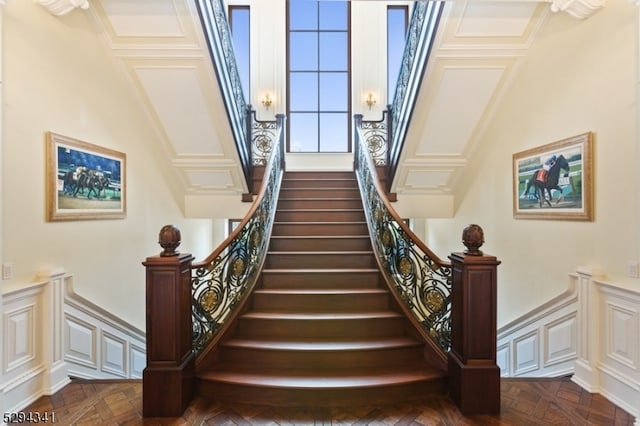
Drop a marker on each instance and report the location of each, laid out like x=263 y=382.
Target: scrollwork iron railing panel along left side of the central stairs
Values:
x=220 y=283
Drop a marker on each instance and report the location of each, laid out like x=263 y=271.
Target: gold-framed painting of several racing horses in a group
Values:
x=84 y=181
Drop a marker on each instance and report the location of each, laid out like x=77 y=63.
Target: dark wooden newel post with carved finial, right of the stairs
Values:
x=474 y=377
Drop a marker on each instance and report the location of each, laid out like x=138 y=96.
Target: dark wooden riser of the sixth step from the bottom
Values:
x=319 y=260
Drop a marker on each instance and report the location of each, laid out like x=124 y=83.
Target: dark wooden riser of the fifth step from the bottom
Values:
x=321 y=280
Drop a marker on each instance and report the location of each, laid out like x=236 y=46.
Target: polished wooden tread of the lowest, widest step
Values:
x=322 y=378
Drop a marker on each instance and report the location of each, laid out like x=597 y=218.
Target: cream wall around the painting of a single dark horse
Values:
x=580 y=76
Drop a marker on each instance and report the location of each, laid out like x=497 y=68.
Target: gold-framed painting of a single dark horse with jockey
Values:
x=555 y=181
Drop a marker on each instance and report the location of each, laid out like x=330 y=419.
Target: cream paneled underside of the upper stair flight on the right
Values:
x=475 y=54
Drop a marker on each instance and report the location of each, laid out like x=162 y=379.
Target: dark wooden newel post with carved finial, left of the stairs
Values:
x=167 y=380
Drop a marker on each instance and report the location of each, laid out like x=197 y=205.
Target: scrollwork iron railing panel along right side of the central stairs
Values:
x=419 y=278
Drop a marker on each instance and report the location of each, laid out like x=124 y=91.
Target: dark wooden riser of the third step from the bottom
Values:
x=319 y=329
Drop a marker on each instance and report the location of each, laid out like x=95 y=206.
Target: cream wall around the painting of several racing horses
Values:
x=56 y=78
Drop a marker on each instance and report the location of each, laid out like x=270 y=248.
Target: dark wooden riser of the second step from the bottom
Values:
x=321 y=359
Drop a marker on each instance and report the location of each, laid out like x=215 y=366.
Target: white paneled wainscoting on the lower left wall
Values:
x=50 y=334
